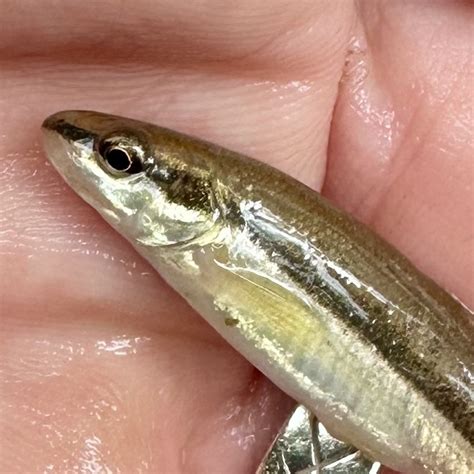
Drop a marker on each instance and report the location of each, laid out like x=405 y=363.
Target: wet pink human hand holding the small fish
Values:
x=103 y=368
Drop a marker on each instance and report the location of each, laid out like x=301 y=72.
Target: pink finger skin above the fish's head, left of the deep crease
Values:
x=261 y=78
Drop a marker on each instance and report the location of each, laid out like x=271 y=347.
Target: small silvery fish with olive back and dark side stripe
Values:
x=330 y=312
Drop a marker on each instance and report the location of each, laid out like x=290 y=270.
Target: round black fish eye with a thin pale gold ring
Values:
x=121 y=158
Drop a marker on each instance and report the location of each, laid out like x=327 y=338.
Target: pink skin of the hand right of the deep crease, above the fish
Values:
x=401 y=145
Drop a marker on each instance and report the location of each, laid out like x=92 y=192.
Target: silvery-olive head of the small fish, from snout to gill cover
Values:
x=149 y=183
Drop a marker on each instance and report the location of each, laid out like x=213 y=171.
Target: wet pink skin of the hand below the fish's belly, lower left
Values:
x=101 y=363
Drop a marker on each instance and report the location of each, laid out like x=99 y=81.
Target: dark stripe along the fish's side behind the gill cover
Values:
x=437 y=388
